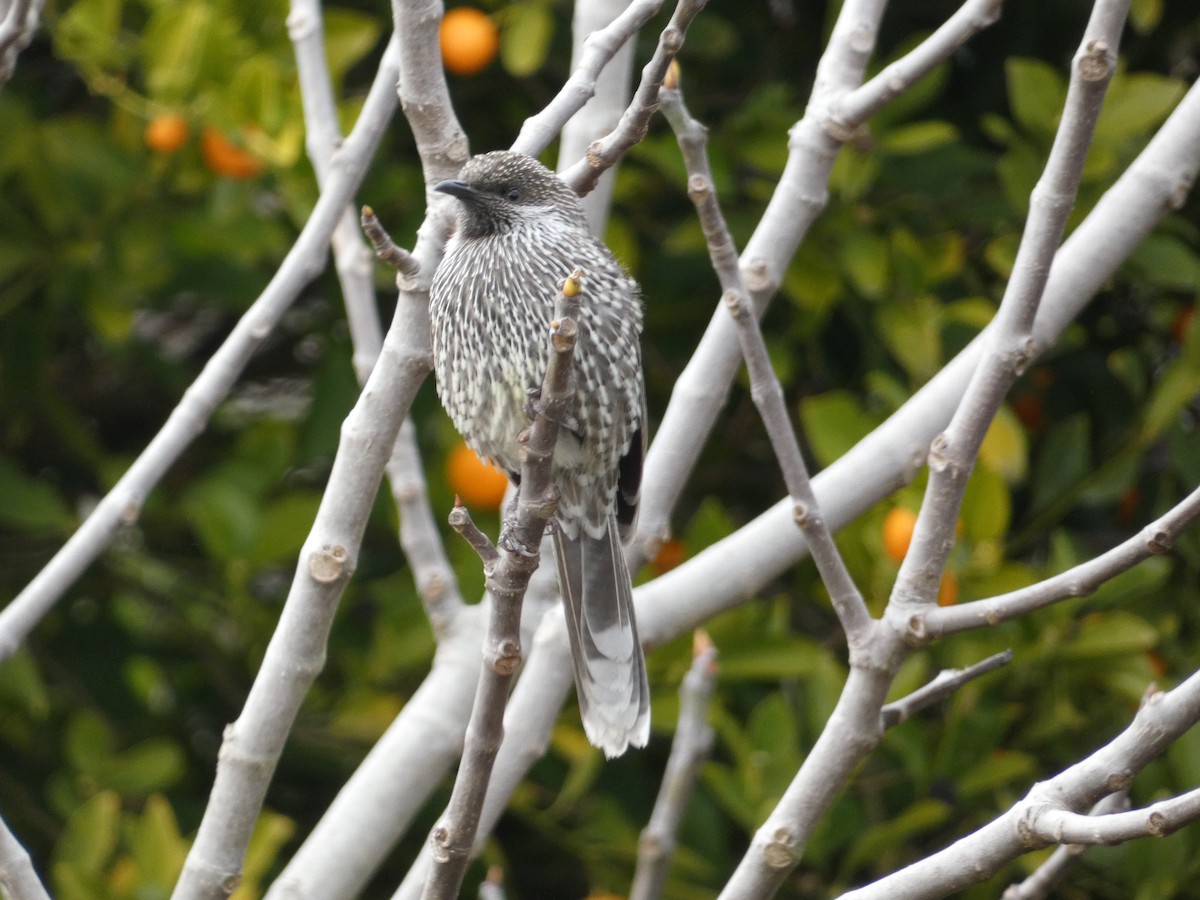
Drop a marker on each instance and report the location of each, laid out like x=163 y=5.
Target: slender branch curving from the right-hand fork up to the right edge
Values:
x=1156 y=538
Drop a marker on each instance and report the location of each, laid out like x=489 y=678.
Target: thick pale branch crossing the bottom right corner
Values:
x=1162 y=719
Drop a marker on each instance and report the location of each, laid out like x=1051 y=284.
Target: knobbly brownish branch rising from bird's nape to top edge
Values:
x=634 y=123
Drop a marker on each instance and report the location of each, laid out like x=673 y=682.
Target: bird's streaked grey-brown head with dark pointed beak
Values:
x=503 y=191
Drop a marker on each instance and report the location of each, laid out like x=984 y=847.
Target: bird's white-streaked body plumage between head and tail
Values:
x=490 y=332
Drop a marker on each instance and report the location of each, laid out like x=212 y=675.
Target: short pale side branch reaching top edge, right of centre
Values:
x=856 y=107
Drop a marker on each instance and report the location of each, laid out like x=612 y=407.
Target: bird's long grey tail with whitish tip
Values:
x=610 y=669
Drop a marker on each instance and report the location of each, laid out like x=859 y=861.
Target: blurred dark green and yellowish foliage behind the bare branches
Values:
x=124 y=265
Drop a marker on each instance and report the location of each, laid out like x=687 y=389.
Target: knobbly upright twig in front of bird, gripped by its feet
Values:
x=455 y=833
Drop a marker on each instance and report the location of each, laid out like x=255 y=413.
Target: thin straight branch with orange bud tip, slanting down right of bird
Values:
x=765 y=387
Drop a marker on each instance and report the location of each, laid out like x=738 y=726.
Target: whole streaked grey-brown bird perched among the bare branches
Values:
x=521 y=231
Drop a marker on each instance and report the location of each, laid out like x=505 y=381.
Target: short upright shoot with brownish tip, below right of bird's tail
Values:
x=691 y=748
